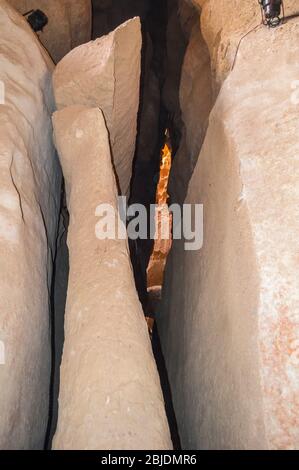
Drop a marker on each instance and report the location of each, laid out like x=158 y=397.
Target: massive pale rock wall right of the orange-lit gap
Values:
x=229 y=326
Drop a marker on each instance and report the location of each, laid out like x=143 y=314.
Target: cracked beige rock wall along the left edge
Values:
x=30 y=180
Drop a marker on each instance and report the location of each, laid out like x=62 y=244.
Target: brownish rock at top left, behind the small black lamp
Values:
x=69 y=23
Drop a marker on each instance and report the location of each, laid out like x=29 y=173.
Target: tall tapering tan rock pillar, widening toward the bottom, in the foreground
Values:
x=110 y=396
